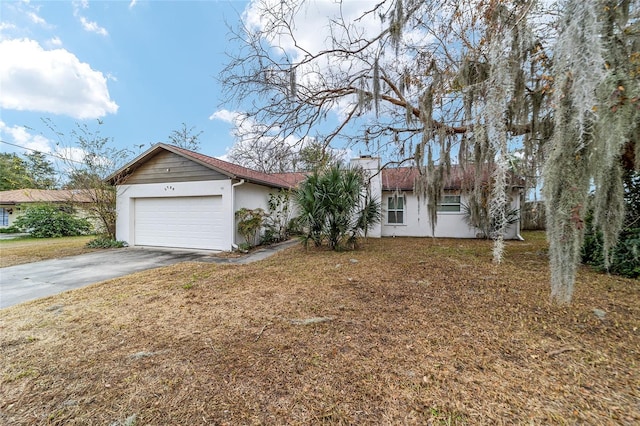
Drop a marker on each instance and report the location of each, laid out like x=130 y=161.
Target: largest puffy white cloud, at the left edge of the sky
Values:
x=53 y=81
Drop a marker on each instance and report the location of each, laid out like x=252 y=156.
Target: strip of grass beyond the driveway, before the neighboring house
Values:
x=26 y=249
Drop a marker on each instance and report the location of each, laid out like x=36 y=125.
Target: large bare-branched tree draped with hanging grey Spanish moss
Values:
x=460 y=81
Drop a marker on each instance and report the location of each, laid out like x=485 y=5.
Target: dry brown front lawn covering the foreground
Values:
x=402 y=331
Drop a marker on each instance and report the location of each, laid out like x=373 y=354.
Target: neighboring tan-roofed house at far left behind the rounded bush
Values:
x=13 y=203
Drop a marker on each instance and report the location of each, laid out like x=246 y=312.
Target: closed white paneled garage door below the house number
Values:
x=183 y=222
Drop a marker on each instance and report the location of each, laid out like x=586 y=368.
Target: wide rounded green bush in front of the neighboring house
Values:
x=49 y=221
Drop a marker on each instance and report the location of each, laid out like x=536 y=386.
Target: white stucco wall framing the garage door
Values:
x=128 y=193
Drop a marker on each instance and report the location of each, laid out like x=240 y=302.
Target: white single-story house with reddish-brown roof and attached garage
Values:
x=173 y=197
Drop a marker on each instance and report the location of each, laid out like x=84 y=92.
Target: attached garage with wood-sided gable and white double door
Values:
x=173 y=197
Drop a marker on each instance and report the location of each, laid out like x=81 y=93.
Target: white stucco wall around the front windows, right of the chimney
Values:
x=449 y=224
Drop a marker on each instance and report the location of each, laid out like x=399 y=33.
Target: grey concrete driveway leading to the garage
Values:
x=31 y=281
